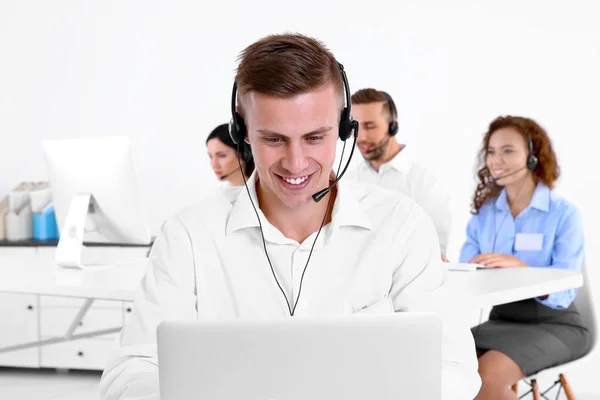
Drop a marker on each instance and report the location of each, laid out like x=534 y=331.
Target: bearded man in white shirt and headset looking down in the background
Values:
x=389 y=164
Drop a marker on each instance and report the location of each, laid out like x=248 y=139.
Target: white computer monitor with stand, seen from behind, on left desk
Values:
x=95 y=195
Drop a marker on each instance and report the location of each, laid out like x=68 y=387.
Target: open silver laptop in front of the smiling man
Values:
x=353 y=357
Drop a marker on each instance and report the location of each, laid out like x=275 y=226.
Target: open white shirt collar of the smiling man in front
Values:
x=347 y=210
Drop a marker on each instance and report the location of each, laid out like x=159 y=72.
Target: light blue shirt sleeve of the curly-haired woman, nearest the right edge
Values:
x=567 y=253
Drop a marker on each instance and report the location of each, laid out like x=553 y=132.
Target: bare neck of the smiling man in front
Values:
x=296 y=223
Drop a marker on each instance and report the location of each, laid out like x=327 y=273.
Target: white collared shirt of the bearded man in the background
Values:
x=406 y=175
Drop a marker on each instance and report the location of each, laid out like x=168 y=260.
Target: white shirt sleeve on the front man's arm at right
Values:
x=421 y=271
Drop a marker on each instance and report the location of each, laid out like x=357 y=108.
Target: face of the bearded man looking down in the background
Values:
x=374 y=120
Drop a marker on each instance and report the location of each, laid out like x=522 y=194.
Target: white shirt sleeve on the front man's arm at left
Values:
x=167 y=291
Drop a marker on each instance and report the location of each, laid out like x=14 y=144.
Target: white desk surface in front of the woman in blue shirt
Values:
x=466 y=290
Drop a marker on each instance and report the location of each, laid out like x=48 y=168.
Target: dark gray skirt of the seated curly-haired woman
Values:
x=534 y=336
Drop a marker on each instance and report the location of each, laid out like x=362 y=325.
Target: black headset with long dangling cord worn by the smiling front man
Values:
x=347 y=126
